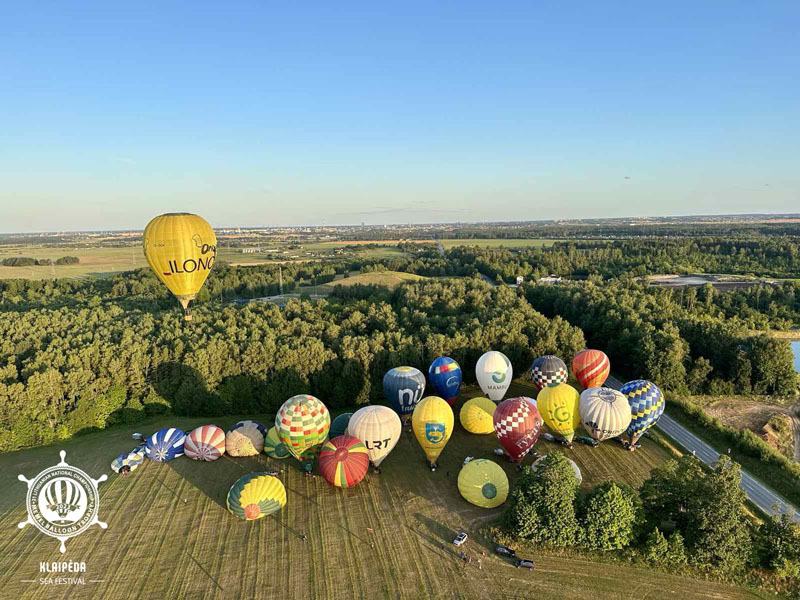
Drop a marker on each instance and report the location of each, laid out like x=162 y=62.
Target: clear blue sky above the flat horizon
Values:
x=342 y=112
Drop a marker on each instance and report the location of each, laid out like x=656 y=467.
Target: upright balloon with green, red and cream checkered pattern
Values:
x=303 y=423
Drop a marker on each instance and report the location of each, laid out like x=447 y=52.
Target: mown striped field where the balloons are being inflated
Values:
x=170 y=536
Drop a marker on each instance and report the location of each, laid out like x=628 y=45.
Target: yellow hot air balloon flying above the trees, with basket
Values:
x=180 y=248
